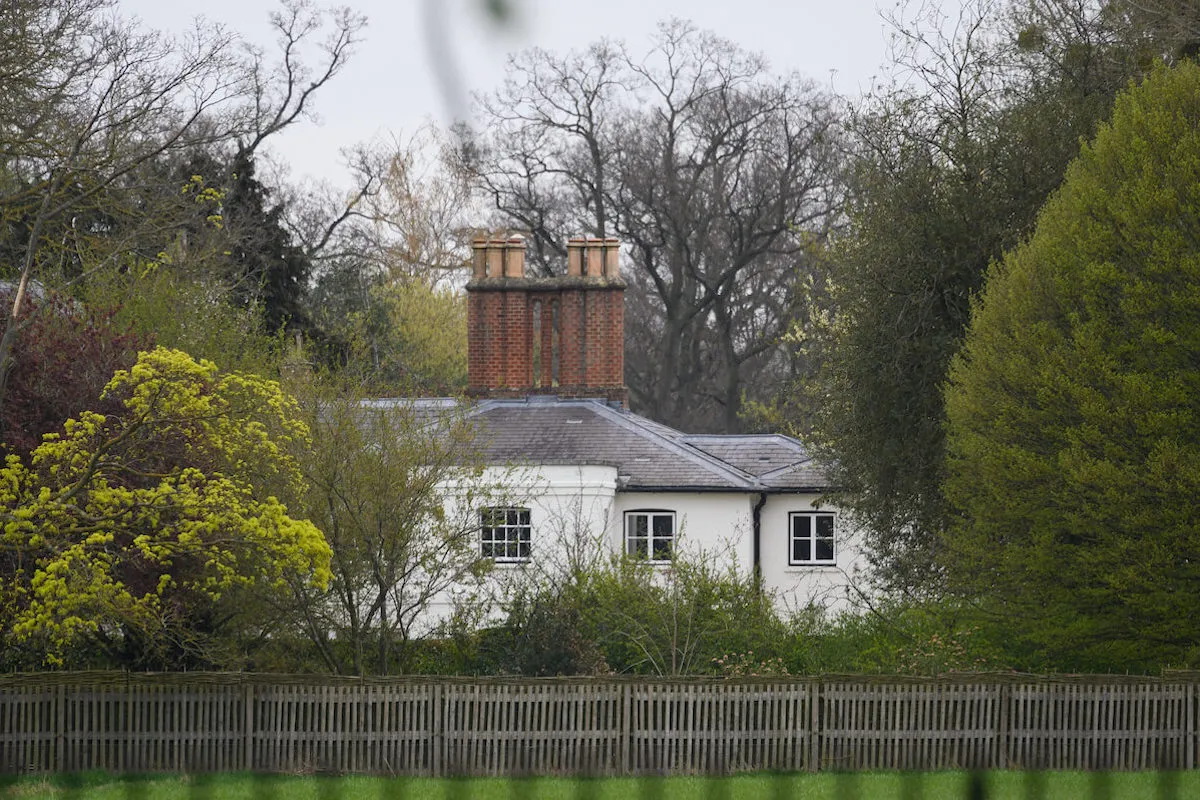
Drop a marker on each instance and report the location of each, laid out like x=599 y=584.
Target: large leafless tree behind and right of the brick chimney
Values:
x=718 y=176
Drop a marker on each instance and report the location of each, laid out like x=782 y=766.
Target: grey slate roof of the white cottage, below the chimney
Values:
x=649 y=456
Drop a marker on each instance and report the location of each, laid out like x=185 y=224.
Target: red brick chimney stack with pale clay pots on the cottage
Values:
x=547 y=336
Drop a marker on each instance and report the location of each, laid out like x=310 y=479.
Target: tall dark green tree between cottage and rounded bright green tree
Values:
x=952 y=164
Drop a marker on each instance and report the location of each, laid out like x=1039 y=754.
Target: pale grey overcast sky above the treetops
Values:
x=392 y=87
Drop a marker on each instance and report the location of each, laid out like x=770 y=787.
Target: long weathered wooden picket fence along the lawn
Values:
x=429 y=726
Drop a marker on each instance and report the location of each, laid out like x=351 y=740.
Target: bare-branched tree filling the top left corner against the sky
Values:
x=88 y=101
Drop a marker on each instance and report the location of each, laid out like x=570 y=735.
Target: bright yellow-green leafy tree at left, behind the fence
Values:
x=129 y=531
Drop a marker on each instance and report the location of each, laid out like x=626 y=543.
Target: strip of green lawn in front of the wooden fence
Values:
x=867 y=786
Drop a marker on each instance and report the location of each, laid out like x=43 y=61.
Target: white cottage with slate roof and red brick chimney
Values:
x=547 y=359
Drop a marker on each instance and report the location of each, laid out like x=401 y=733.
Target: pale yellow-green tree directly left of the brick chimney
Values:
x=387 y=284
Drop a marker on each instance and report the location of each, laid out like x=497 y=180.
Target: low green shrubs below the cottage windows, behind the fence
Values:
x=627 y=617
